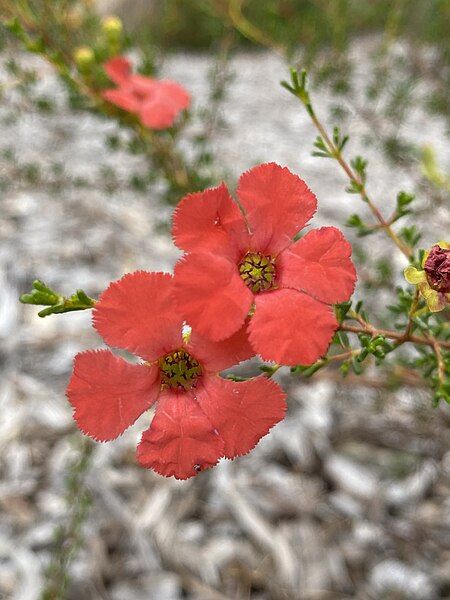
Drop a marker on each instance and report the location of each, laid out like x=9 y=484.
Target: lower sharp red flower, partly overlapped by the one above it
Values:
x=199 y=417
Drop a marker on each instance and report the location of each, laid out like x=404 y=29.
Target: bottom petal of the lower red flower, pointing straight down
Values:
x=181 y=441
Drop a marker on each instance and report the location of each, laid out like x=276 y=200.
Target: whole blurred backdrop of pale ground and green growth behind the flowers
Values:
x=349 y=497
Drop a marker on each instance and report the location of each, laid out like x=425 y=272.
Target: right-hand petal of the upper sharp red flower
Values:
x=320 y=264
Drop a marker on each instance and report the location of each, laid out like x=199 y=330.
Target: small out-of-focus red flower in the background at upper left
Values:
x=157 y=103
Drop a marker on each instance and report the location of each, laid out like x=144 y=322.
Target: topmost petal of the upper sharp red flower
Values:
x=277 y=203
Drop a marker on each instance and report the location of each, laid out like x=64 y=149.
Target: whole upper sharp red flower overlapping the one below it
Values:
x=239 y=257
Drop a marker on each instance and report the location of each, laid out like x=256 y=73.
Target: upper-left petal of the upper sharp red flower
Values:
x=210 y=221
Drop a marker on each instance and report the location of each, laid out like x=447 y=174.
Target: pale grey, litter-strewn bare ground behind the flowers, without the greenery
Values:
x=347 y=498
